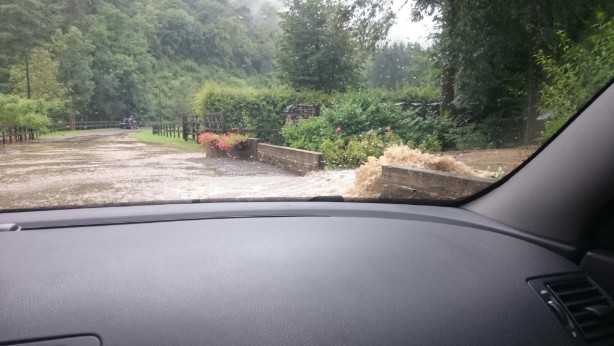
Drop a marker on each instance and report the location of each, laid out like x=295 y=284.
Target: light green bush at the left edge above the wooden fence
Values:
x=20 y=112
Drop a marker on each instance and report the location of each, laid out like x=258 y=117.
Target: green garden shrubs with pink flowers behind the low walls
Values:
x=361 y=124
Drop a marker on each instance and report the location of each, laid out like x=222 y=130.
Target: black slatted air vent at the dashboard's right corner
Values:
x=590 y=309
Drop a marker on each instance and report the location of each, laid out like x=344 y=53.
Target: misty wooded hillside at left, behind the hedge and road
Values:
x=142 y=58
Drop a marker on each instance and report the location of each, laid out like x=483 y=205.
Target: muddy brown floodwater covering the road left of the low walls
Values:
x=110 y=167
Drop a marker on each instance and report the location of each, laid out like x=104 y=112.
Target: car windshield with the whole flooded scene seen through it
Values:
x=138 y=101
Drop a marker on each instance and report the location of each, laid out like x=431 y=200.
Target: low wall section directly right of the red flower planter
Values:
x=293 y=160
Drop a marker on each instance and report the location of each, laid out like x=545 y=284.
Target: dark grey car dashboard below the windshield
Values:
x=274 y=274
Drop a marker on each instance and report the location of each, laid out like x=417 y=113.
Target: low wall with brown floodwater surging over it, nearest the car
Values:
x=414 y=183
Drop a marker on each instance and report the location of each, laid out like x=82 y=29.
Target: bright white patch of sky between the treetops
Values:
x=404 y=30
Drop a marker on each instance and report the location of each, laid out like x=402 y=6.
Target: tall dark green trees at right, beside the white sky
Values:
x=486 y=52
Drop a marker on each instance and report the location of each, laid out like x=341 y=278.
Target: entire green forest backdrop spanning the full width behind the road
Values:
x=504 y=72
